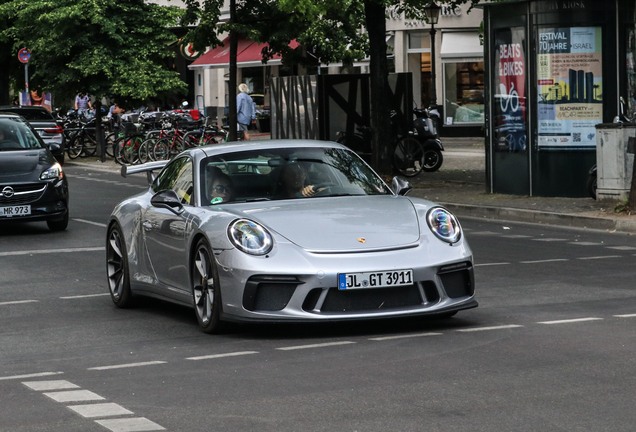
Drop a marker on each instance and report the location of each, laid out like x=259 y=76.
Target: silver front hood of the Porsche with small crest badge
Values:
x=341 y=224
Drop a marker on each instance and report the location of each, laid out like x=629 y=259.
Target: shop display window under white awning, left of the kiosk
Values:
x=464 y=93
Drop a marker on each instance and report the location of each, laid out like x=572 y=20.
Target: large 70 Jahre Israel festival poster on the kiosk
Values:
x=570 y=86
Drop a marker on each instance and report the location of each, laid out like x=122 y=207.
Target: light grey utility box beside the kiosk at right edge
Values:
x=614 y=160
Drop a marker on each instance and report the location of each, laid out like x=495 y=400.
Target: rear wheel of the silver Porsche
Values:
x=117 y=268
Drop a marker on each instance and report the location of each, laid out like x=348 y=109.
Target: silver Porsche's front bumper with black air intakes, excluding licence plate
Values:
x=274 y=289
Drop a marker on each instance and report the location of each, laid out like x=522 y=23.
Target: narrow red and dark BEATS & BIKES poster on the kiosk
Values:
x=510 y=90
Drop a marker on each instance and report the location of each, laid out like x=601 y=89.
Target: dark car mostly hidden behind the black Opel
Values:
x=46 y=126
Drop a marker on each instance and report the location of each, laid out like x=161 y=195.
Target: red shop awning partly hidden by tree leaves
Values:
x=248 y=54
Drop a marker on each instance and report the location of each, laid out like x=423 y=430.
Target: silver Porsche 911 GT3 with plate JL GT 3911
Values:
x=287 y=231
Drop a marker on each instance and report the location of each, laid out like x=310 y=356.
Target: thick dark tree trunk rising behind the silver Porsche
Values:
x=380 y=90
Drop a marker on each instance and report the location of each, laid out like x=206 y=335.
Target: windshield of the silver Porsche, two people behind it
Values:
x=289 y=173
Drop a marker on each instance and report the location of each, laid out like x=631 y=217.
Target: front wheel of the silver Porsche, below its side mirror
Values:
x=206 y=292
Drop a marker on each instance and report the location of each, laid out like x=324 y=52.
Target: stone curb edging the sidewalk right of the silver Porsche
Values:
x=542 y=217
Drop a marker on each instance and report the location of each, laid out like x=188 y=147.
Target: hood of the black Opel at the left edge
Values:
x=24 y=165
